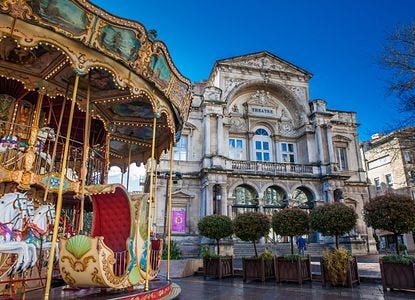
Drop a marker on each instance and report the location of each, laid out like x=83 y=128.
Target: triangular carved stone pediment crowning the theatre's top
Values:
x=264 y=61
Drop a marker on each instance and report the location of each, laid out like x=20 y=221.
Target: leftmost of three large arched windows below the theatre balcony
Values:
x=246 y=199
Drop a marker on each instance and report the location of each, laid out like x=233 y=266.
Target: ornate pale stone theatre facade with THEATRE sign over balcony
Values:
x=255 y=141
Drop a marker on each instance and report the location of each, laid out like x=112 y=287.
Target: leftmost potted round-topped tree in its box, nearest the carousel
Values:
x=216 y=227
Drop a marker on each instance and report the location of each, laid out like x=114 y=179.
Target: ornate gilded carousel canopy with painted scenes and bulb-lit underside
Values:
x=129 y=74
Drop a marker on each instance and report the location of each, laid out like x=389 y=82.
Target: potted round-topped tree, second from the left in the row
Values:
x=250 y=227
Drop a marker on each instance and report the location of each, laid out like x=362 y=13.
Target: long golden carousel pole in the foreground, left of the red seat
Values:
x=60 y=191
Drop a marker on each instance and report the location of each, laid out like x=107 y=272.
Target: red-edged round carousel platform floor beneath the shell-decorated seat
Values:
x=159 y=289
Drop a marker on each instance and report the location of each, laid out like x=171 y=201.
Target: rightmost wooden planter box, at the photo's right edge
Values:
x=398 y=276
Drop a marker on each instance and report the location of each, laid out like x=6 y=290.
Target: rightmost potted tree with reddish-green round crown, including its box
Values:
x=394 y=213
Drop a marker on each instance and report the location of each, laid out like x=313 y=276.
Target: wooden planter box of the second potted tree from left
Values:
x=258 y=268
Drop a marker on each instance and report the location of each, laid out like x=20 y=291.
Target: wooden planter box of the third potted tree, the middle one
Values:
x=293 y=271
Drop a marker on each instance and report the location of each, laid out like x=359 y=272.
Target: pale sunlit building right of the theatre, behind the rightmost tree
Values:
x=390 y=164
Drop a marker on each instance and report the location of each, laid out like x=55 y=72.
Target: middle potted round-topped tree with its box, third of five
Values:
x=292 y=222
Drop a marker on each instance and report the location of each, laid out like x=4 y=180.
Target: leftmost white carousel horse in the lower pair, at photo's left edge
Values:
x=13 y=210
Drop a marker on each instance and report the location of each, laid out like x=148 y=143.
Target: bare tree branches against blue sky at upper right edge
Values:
x=399 y=57
